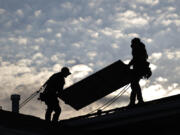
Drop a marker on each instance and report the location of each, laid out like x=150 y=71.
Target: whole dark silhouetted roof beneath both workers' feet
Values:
x=157 y=116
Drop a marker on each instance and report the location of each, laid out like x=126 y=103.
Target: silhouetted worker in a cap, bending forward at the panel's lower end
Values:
x=53 y=89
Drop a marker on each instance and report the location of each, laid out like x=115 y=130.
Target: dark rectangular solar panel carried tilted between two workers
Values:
x=97 y=85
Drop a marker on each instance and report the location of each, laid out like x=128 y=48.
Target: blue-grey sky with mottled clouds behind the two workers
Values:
x=38 y=37
